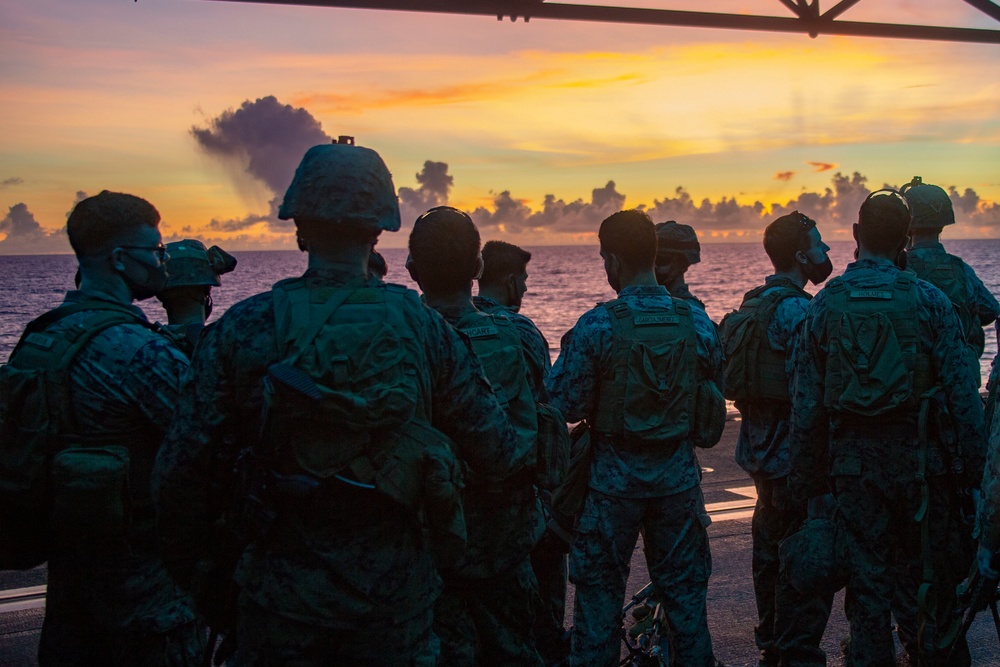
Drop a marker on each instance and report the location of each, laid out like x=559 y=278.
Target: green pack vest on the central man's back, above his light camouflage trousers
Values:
x=647 y=392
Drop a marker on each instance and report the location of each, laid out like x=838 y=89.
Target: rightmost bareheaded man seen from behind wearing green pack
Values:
x=880 y=366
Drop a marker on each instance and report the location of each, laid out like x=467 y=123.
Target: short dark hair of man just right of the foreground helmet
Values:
x=444 y=248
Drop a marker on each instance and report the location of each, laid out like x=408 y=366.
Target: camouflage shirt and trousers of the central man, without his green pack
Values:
x=657 y=490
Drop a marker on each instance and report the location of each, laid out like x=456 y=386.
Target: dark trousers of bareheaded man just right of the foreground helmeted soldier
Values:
x=489 y=623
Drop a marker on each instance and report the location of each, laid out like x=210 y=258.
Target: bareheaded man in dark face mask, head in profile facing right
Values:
x=758 y=340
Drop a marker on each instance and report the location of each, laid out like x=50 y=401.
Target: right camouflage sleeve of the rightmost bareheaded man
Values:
x=958 y=377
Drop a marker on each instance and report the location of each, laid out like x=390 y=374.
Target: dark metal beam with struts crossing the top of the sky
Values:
x=808 y=21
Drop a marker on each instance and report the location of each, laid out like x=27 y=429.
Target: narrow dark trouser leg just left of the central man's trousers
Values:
x=548 y=560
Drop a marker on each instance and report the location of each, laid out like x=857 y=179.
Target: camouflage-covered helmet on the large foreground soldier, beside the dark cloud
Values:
x=339 y=183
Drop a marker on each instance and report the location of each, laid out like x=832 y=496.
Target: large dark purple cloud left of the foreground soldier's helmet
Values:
x=263 y=140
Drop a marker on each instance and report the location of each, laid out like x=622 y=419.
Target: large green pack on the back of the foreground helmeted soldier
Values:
x=341 y=405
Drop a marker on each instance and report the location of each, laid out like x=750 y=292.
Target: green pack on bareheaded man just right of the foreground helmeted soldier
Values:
x=497 y=345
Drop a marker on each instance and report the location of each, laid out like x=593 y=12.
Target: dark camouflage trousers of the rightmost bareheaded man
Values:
x=880 y=542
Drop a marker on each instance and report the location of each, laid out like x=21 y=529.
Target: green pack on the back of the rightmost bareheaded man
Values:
x=874 y=364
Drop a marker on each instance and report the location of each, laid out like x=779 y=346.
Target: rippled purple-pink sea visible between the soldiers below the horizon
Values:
x=563 y=282
